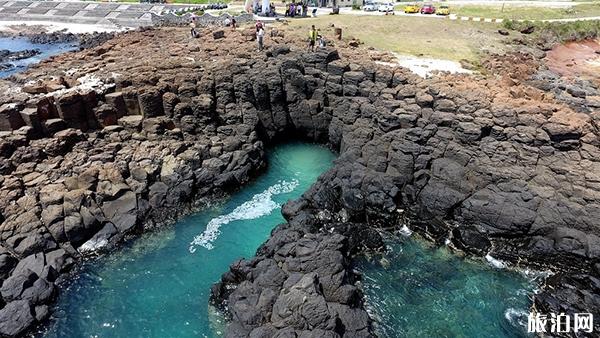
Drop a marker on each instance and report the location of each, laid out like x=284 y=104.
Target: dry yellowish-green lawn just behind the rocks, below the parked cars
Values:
x=443 y=39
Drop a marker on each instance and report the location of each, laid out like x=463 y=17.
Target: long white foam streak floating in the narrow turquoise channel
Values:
x=260 y=205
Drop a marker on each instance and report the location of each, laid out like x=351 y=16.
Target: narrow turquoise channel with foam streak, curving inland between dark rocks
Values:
x=159 y=285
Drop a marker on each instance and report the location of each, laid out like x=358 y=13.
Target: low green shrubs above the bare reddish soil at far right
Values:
x=557 y=32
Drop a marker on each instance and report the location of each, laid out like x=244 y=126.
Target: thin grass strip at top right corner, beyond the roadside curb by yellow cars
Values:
x=514 y=12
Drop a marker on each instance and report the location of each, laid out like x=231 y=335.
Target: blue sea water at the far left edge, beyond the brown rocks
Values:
x=17 y=44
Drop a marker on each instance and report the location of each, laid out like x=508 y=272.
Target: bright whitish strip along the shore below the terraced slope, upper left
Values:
x=48 y=27
